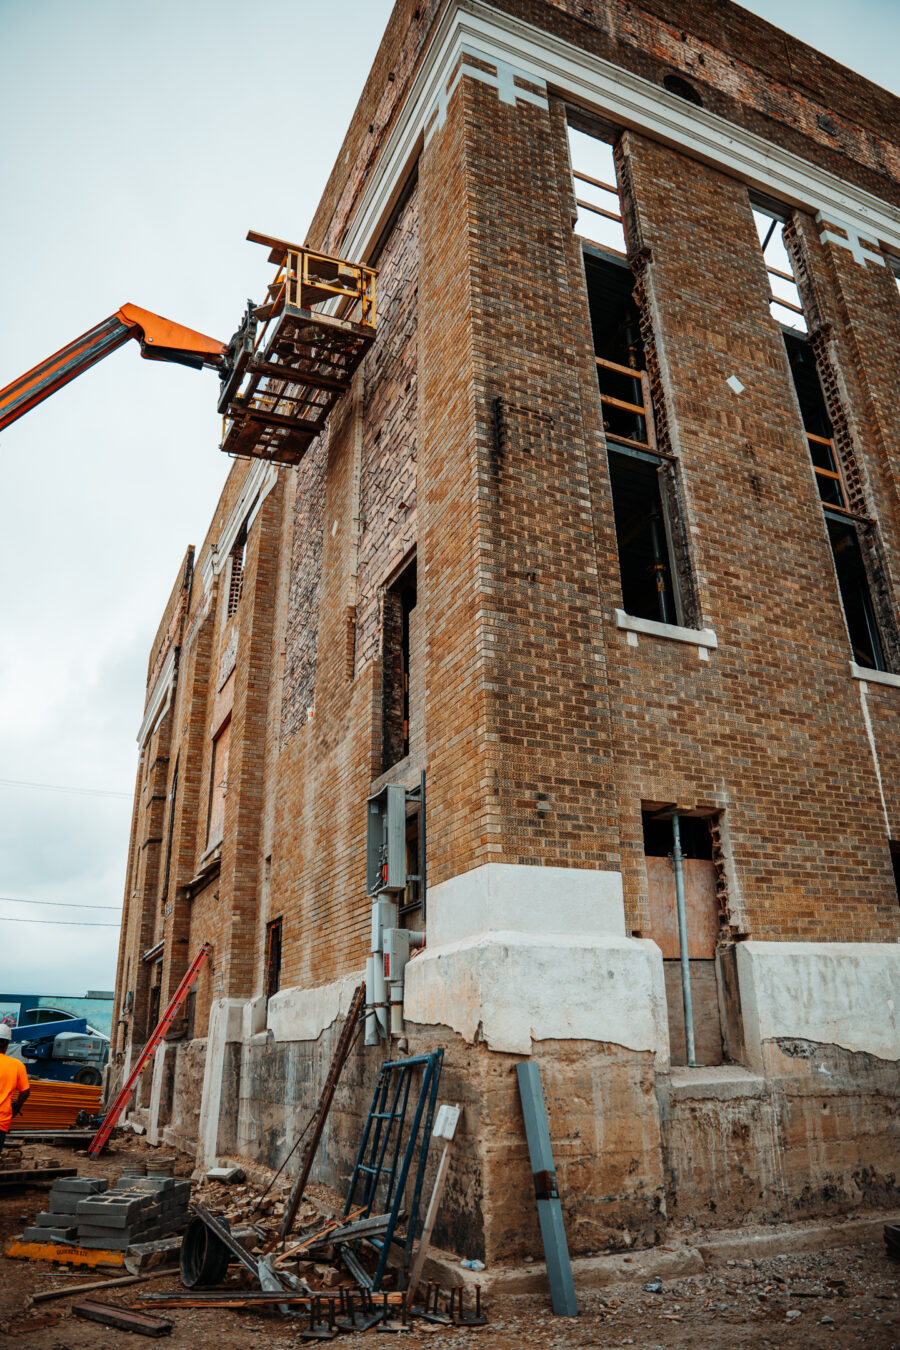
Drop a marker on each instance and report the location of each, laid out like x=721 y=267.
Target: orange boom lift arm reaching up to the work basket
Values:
x=160 y=340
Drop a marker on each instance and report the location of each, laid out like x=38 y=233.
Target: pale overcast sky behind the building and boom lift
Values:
x=138 y=145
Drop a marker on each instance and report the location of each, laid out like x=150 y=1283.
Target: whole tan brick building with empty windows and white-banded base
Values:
x=602 y=538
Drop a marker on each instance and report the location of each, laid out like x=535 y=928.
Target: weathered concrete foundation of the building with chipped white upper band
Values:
x=640 y=1147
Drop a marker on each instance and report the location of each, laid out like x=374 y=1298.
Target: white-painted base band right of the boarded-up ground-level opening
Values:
x=845 y=994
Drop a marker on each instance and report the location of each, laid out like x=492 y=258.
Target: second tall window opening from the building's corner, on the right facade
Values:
x=845 y=530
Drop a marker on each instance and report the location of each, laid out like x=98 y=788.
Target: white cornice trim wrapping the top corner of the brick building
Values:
x=629 y=101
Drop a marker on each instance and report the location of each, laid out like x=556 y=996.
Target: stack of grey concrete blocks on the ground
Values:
x=92 y=1214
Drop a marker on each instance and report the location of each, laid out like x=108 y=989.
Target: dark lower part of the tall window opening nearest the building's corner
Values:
x=636 y=465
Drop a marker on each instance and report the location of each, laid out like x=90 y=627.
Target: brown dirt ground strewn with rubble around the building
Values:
x=844 y=1298
